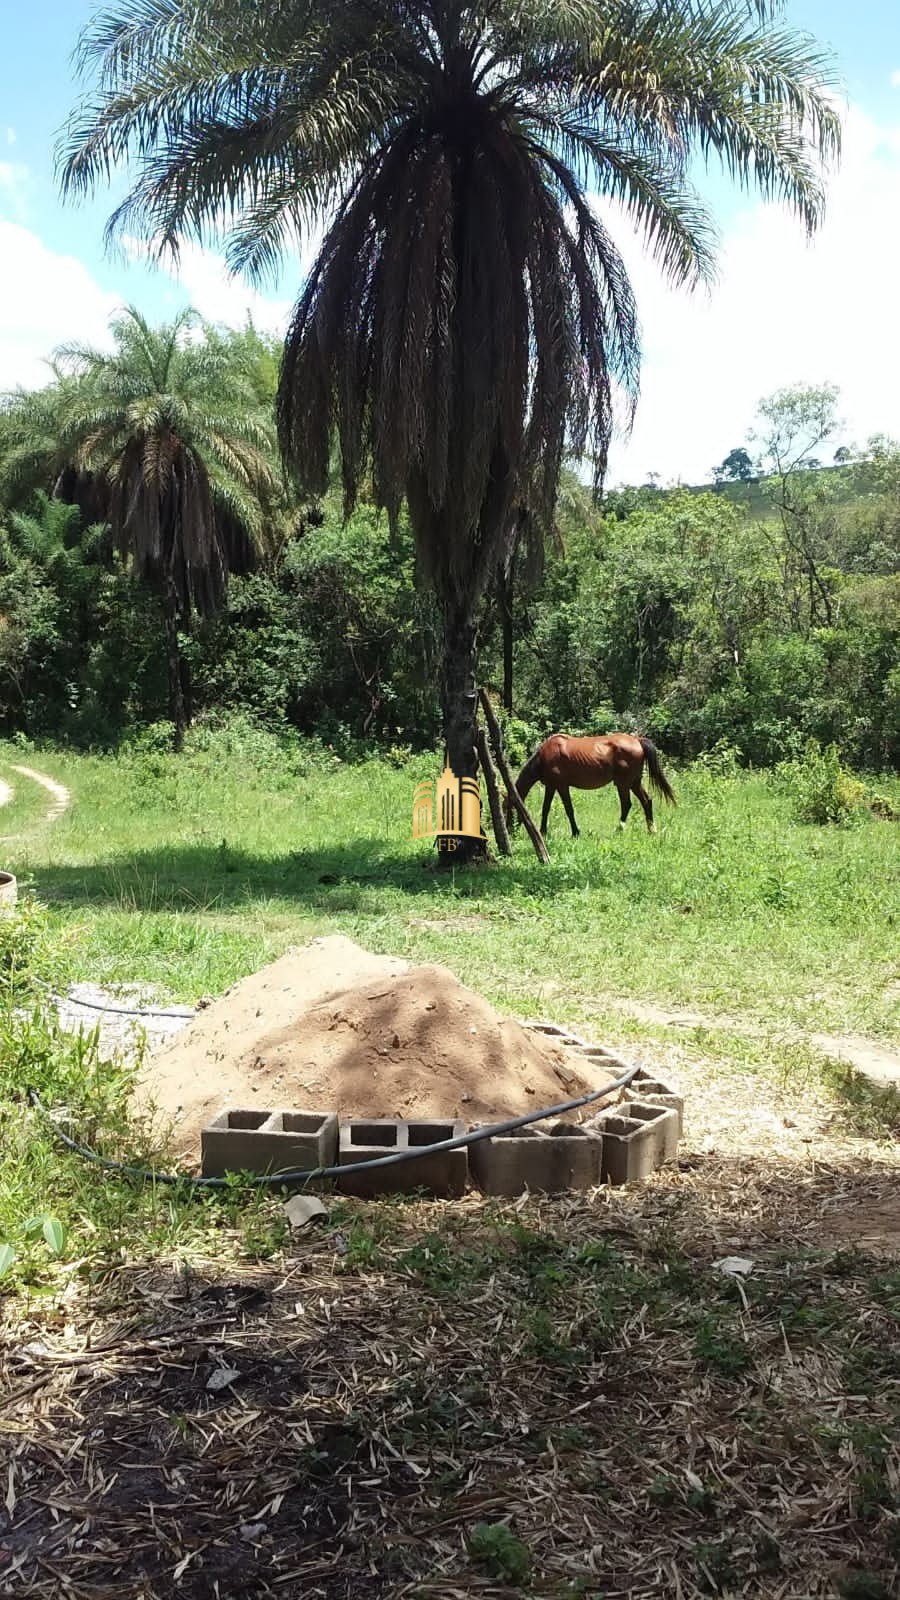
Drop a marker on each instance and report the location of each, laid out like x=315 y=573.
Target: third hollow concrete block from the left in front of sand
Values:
x=566 y=1158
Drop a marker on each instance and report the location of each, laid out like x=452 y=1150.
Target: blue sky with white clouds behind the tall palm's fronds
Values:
x=782 y=313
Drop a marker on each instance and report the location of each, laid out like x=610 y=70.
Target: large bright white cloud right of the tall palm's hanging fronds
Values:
x=784 y=311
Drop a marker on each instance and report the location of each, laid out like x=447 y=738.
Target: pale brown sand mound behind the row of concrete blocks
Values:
x=334 y=1026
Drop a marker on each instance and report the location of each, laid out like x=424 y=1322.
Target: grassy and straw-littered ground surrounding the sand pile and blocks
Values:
x=540 y=1399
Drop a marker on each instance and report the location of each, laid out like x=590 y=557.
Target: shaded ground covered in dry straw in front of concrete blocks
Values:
x=337 y=1425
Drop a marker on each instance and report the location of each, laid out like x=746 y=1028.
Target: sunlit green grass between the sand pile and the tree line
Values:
x=193 y=873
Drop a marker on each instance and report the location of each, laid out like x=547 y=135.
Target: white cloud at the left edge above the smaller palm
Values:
x=46 y=300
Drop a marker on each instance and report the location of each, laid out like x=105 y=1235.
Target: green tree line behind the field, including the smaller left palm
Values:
x=761 y=615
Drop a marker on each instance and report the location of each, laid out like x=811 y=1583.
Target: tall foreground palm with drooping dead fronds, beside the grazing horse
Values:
x=468 y=319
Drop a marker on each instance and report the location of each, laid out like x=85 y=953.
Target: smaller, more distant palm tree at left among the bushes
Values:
x=167 y=442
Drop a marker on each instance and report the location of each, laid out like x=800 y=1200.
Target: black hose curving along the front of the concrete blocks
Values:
x=299 y=1175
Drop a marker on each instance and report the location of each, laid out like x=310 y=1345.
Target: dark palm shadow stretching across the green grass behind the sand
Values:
x=220 y=876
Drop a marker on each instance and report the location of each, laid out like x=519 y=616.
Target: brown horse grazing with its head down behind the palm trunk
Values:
x=563 y=764
